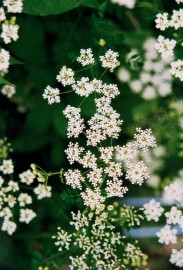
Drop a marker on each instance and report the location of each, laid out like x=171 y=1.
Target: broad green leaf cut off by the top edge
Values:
x=50 y=7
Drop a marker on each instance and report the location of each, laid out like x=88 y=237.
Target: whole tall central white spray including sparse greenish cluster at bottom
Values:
x=102 y=169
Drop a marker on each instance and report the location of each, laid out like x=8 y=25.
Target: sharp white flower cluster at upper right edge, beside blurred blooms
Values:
x=165 y=46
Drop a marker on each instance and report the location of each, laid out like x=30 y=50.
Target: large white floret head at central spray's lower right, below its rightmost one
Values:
x=137 y=173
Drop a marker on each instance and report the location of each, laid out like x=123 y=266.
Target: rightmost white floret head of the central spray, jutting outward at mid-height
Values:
x=144 y=139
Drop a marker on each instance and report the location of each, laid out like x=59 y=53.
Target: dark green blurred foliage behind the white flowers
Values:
x=51 y=35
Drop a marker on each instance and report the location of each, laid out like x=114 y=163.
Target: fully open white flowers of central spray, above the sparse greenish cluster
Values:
x=104 y=166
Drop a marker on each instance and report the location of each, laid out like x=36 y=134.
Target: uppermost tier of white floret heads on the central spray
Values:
x=83 y=86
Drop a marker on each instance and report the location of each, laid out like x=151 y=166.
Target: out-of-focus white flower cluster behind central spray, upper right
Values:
x=155 y=78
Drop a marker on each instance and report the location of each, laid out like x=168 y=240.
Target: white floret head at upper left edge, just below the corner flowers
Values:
x=9 y=32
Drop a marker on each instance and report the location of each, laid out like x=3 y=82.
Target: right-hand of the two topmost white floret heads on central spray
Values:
x=109 y=60
